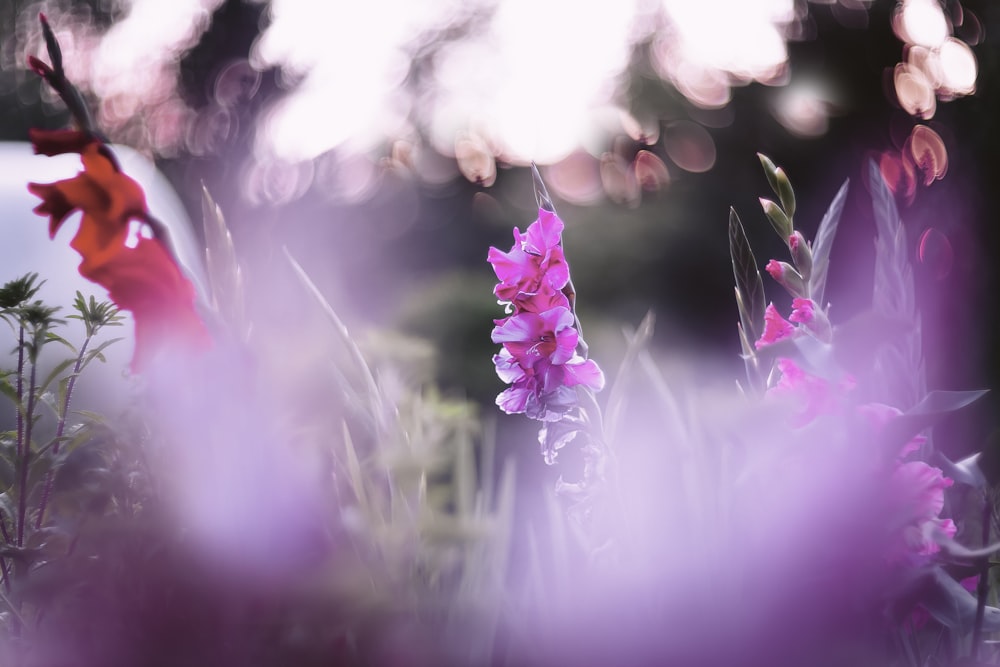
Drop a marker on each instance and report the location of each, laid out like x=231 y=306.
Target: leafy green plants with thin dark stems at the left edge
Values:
x=53 y=462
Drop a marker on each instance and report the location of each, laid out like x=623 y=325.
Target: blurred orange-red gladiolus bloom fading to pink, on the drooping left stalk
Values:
x=143 y=279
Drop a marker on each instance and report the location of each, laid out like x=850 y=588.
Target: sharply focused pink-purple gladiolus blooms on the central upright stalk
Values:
x=539 y=358
